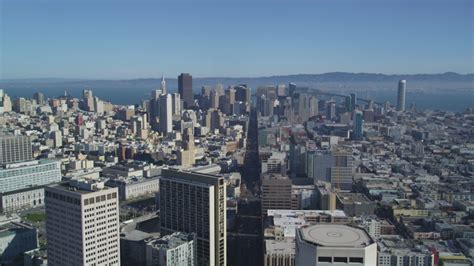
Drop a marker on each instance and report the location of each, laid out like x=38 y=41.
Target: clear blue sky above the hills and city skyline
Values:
x=108 y=39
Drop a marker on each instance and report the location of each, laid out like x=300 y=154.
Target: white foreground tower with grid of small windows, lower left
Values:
x=82 y=224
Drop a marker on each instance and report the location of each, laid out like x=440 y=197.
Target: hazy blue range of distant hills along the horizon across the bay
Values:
x=339 y=80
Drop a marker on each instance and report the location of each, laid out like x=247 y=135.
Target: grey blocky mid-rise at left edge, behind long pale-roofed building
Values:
x=15 y=149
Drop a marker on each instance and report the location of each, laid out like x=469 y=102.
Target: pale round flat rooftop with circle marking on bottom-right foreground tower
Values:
x=335 y=235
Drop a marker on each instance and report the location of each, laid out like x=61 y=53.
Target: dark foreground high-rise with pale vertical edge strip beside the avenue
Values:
x=196 y=203
